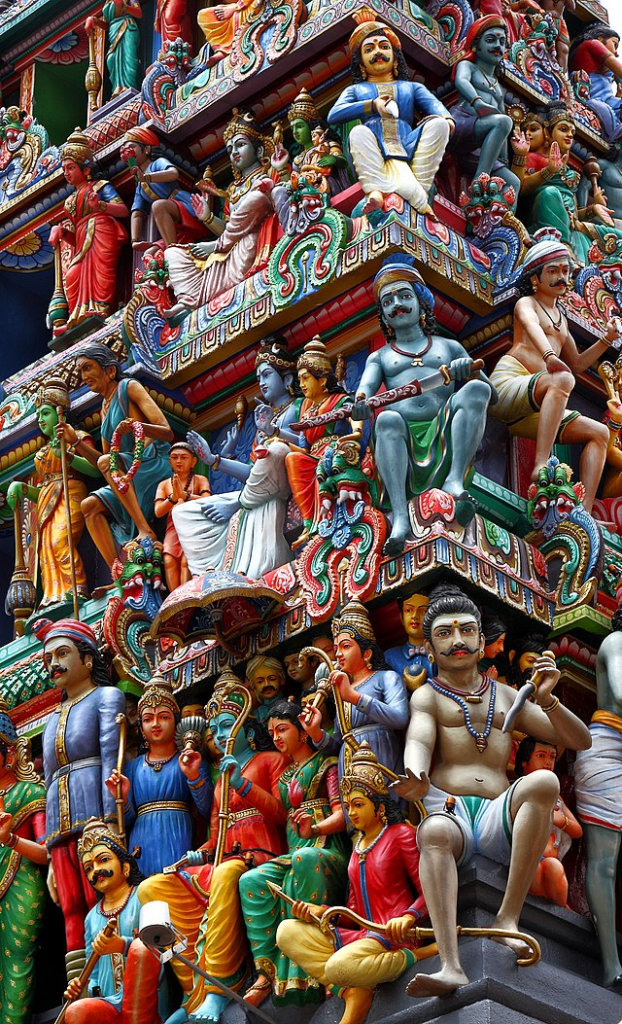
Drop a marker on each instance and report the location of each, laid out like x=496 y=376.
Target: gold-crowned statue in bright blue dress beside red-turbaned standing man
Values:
x=160 y=788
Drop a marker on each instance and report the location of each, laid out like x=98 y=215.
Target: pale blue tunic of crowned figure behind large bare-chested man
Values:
x=379 y=718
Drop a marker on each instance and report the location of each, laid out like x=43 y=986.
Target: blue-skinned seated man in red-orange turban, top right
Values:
x=483 y=127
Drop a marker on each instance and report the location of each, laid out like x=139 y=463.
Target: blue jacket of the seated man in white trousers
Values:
x=397 y=140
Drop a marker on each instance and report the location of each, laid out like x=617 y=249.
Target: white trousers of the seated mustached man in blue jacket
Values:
x=411 y=181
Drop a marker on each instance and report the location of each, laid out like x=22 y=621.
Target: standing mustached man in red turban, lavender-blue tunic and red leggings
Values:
x=80 y=746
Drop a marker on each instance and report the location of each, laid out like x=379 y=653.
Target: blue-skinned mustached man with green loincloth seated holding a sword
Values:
x=430 y=441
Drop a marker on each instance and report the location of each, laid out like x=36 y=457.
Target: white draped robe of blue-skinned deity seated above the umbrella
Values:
x=253 y=541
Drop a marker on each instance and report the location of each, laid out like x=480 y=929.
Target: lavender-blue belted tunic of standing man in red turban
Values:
x=80 y=746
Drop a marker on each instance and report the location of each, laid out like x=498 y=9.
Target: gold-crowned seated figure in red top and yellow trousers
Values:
x=385 y=890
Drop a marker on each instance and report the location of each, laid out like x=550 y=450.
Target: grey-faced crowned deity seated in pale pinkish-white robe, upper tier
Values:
x=247 y=231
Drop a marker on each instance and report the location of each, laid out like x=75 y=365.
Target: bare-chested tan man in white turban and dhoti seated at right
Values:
x=536 y=378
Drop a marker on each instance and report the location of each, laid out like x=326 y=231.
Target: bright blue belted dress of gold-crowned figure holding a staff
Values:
x=164 y=834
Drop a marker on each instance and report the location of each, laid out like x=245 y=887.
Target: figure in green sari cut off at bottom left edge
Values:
x=22 y=882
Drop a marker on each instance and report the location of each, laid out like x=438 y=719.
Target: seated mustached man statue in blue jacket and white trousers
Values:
x=390 y=156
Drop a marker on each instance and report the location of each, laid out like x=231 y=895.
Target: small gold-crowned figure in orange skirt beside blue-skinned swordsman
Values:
x=323 y=394
